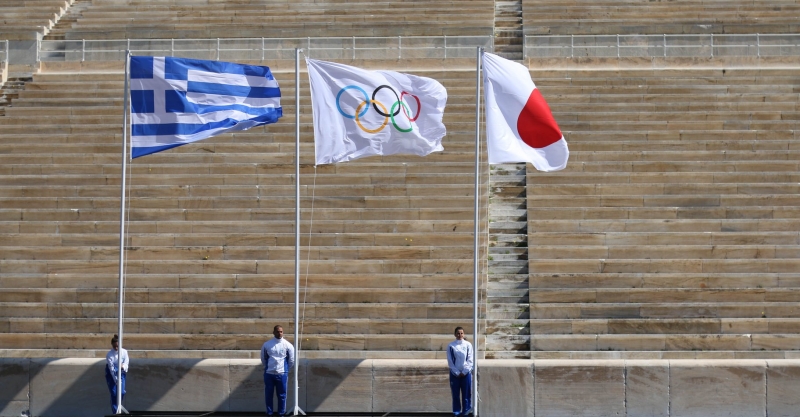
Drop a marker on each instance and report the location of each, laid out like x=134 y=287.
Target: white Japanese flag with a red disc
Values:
x=519 y=124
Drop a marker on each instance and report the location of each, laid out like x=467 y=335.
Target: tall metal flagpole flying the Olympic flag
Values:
x=297 y=408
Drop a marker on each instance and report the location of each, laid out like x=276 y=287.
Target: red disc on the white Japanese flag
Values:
x=535 y=124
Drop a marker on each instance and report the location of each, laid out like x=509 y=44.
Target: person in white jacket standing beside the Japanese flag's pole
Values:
x=460 y=358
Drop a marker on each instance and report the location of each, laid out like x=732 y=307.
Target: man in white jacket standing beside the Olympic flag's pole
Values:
x=277 y=356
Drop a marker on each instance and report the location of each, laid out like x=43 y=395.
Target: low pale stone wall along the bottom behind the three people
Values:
x=76 y=386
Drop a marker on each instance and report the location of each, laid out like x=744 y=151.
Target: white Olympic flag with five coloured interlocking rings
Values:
x=359 y=113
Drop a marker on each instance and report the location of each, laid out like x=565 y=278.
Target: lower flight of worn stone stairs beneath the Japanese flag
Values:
x=508 y=324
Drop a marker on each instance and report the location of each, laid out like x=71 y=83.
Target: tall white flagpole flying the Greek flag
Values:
x=122 y=229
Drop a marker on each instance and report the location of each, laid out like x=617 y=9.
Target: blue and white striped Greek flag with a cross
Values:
x=175 y=101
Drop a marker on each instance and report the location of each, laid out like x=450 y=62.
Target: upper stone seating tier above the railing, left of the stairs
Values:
x=140 y=19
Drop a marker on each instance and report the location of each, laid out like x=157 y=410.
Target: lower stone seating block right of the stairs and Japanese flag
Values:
x=670 y=235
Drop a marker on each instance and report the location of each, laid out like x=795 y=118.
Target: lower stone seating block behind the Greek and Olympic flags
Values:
x=211 y=249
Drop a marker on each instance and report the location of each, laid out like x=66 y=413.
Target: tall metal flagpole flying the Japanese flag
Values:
x=477 y=224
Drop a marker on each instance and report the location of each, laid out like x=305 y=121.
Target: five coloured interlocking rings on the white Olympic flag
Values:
x=372 y=102
